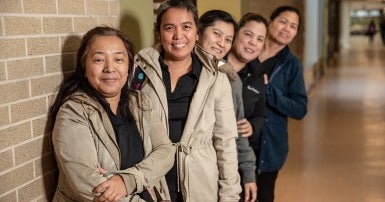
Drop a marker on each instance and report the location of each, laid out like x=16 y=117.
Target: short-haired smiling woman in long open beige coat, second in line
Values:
x=194 y=100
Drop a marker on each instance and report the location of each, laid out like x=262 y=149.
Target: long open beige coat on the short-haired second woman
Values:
x=206 y=154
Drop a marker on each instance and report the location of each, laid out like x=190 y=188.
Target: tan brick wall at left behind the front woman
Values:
x=38 y=41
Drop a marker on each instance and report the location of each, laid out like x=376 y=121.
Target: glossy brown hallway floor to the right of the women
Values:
x=337 y=152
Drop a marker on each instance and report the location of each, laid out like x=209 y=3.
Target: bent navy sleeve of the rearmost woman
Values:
x=290 y=100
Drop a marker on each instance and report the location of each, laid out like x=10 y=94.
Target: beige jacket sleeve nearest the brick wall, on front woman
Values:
x=75 y=150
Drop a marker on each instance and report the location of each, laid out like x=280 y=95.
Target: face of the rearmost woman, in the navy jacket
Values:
x=284 y=27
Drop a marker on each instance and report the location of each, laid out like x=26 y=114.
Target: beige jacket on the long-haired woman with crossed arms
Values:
x=84 y=138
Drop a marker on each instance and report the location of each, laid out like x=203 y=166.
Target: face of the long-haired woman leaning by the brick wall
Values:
x=107 y=65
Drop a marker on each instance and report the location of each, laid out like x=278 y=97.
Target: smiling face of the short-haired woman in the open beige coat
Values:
x=178 y=34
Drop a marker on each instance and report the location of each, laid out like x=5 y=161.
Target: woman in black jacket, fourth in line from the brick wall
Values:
x=247 y=46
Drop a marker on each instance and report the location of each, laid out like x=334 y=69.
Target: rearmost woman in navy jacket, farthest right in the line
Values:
x=285 y=96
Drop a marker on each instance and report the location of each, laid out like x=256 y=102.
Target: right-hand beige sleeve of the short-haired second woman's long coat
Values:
x=225 y=134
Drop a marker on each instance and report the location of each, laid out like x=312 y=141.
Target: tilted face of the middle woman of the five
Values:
x=217 y=38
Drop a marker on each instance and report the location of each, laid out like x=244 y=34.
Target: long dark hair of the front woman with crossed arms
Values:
x=77 y=80
